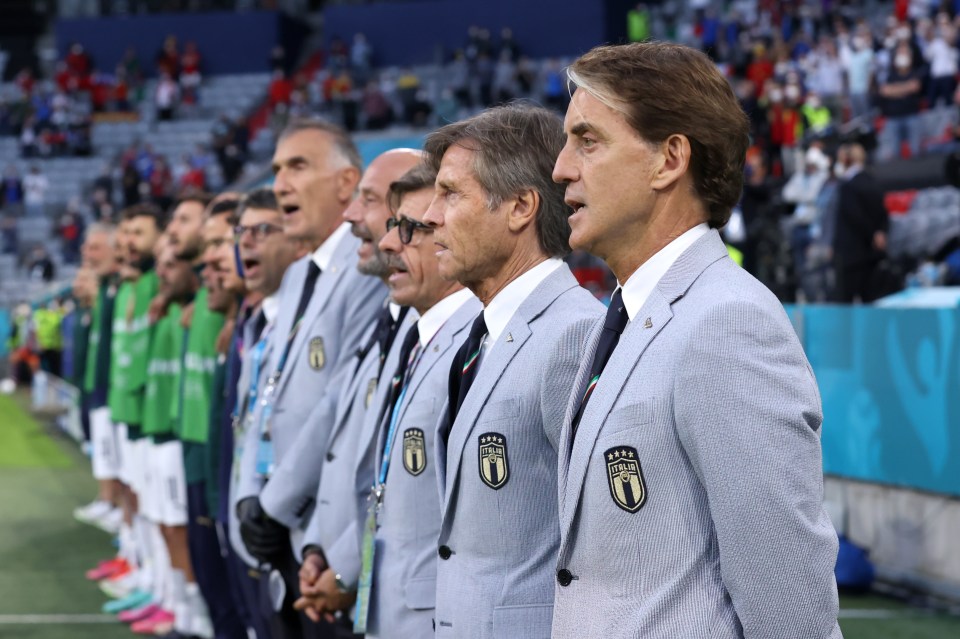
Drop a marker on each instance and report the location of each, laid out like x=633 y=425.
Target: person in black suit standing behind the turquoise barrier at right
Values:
x=860 y=236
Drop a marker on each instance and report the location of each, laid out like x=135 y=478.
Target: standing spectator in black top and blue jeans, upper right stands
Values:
x=900 y=104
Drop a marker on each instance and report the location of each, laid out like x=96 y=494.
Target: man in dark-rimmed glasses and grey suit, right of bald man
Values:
x=398 y=583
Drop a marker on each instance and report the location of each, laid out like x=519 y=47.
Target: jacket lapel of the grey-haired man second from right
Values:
x=495 y=362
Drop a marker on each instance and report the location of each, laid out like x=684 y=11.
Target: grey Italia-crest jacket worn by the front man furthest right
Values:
x=691 y=503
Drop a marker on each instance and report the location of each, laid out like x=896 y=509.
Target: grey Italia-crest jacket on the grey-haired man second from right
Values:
x=500 y=532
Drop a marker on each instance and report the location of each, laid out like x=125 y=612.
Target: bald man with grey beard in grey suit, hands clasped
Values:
x=331 y=554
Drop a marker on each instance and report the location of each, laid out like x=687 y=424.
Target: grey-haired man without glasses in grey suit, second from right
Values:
x=500 y=228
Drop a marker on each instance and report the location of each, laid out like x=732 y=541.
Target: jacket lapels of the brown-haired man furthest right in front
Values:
x=639 y=334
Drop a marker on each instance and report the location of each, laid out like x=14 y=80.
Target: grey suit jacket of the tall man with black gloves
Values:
x=343 y=305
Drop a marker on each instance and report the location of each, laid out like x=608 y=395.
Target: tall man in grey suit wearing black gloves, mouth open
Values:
x=325 y=305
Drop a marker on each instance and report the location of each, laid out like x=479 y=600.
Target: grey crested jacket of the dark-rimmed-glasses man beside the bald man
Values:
x=405 y=571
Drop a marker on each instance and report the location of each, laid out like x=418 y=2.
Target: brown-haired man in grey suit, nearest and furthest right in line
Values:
x=690 y=470
